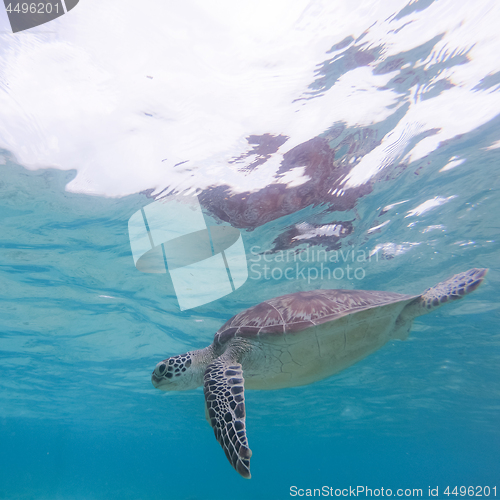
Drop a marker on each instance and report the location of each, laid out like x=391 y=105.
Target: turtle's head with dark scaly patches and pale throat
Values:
x=177 y=373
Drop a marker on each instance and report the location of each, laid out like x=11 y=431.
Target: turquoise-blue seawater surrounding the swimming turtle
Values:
x=82 y=329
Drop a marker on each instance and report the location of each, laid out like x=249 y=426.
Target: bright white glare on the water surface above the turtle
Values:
x=124 y=94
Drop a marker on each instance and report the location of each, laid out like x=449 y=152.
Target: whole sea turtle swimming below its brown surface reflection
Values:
x=295 y=340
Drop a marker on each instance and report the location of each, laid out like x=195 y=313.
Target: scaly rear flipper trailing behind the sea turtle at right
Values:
x=453 y=288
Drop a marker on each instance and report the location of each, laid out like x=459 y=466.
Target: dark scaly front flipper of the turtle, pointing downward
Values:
x=225 y=403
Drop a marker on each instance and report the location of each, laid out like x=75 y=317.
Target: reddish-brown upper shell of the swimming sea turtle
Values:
x=298 y=311
